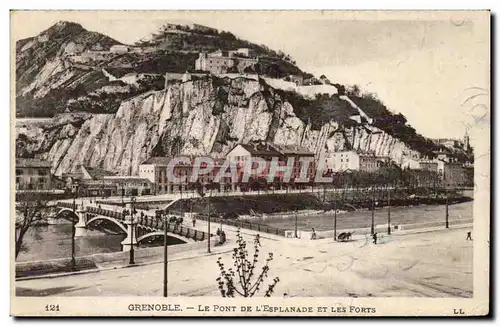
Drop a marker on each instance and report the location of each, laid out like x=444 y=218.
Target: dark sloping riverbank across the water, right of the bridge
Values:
x=268 y=203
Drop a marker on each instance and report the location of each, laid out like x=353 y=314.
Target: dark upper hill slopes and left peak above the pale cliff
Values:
x=61 y=69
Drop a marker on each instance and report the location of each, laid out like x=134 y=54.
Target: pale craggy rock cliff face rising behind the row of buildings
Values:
x=199 y=117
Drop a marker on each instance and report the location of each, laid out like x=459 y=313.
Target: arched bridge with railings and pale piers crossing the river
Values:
x=142 y=228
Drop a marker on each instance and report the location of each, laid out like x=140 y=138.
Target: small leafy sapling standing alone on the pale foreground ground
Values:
x=246 y=284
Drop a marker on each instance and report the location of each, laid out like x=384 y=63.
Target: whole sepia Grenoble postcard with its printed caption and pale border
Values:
x=250 y=163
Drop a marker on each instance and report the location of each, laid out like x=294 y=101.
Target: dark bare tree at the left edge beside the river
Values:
x=28 y=215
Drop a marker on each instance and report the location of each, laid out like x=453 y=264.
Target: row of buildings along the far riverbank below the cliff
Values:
x=34 y=174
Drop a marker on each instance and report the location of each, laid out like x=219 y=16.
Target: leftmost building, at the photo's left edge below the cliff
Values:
x=33 y=174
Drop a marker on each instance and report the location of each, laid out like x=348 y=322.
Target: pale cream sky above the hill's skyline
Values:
x=425 y=65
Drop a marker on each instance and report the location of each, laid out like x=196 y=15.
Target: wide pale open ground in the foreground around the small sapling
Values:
x=434 y=264
